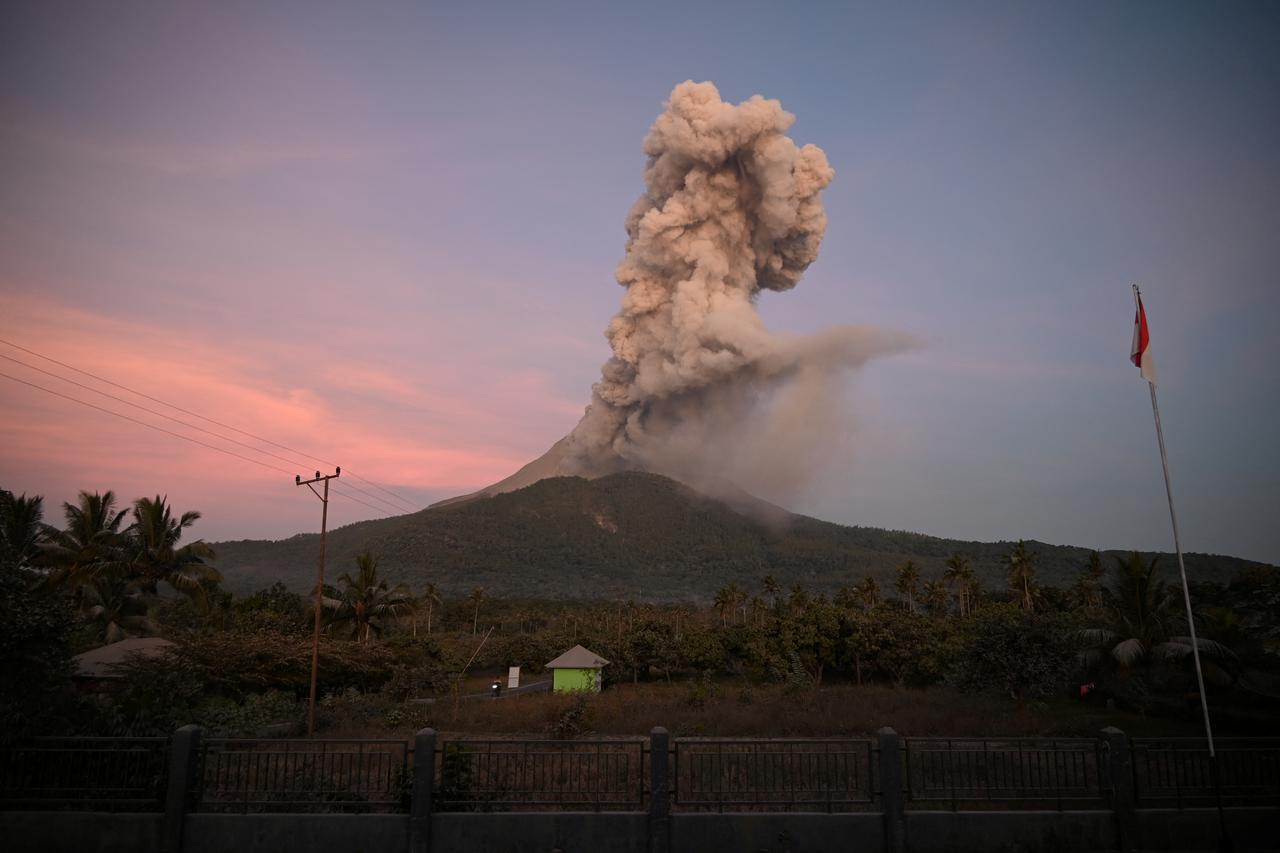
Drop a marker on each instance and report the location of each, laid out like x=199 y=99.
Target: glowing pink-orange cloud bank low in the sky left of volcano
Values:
x=54 y=446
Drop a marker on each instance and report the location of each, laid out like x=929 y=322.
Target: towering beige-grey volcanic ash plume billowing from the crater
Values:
x=698 y=389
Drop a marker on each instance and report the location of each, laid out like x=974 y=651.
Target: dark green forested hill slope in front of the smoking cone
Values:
x=630 y=535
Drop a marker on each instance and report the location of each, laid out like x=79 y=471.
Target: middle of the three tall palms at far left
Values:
x=90 y=545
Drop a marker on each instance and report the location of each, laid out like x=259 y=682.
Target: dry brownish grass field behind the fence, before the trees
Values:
x=730 y=709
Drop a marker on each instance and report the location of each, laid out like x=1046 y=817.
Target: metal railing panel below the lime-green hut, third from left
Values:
x=538 y=776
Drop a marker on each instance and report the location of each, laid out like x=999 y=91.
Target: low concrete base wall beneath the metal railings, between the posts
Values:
x=1252 y=829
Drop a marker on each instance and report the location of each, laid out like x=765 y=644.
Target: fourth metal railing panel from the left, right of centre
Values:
x=771 y=774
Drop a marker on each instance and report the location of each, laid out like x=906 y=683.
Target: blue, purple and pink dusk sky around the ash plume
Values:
x=383 y=236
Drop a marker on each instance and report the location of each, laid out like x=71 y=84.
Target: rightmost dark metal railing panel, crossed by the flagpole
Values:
x=1176 y=772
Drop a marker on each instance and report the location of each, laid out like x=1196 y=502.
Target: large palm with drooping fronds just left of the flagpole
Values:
x=1145 y=614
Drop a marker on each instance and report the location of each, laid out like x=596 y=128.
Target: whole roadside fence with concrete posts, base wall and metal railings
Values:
x=655 y=795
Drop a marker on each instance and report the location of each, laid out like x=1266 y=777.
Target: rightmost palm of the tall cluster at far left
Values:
x=156 y=556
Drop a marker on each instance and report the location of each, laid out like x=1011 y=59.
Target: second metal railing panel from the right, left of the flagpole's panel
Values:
x=1023 y=773
